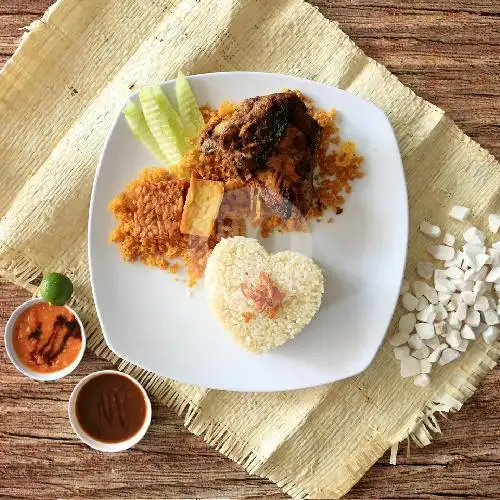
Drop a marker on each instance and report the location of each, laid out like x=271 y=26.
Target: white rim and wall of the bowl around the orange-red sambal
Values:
x=9 y=346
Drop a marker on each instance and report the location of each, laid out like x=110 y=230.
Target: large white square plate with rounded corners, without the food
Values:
x=148 y=318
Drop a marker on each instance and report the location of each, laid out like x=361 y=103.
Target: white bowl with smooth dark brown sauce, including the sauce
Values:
x=109 y=411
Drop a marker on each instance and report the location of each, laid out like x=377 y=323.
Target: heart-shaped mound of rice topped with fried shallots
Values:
x=240 y=272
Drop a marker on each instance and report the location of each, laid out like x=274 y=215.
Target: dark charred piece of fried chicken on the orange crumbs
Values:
x=272 y=139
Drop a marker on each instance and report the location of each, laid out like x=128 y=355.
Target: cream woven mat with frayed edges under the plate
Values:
x=58 y=97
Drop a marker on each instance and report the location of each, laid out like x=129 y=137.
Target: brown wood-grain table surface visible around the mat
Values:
x=448 y=51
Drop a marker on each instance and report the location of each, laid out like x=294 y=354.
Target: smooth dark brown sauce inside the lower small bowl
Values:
x=110 y=408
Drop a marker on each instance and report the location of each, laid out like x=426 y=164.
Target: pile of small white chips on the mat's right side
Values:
x=453 y=303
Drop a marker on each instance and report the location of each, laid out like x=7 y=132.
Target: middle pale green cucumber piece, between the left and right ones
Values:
x=164 y=123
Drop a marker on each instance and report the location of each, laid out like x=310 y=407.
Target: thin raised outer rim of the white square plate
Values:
x=405 y=228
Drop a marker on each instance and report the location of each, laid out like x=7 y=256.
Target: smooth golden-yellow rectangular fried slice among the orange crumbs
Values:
x=202 y=206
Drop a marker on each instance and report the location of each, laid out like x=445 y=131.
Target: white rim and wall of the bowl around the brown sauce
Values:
x=100 y=445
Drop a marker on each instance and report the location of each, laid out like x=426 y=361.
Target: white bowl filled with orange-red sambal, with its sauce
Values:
x=44 y=342
